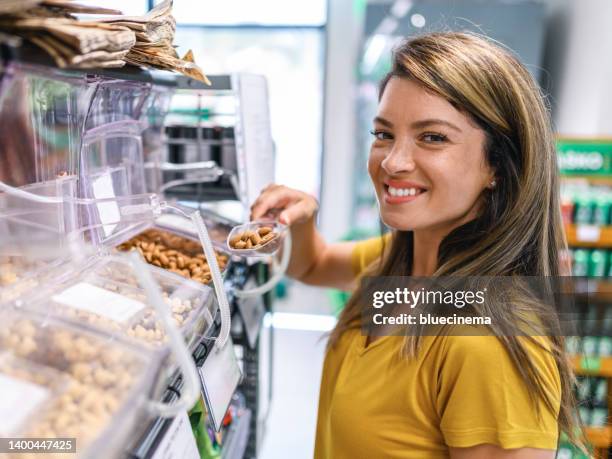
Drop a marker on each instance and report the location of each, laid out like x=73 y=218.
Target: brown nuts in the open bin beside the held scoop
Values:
x=174 y=253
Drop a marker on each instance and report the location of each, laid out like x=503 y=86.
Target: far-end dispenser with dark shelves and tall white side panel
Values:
x=219 y=145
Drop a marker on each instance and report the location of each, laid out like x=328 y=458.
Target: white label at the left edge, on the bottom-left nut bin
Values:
x=18 y=402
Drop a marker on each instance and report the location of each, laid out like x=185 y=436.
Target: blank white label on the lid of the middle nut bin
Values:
x=91 y=298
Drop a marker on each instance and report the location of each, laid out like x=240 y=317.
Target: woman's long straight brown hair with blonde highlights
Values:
x=519 y=230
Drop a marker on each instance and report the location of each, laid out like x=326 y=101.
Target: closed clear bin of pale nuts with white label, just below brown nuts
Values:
x=107 y=296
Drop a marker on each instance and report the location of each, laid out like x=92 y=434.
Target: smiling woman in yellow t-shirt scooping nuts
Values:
x=464 y=168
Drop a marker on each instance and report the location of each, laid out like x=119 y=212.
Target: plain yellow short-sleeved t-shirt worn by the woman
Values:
x=459 y=391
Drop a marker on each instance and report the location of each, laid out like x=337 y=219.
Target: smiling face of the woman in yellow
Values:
x=427 y=160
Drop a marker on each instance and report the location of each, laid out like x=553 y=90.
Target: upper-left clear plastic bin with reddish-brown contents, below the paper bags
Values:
x=42 y=116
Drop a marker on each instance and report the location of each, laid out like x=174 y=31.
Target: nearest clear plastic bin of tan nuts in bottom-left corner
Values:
x=100 y=383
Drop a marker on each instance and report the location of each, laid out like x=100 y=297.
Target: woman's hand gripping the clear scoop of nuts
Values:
x=291 y=206
